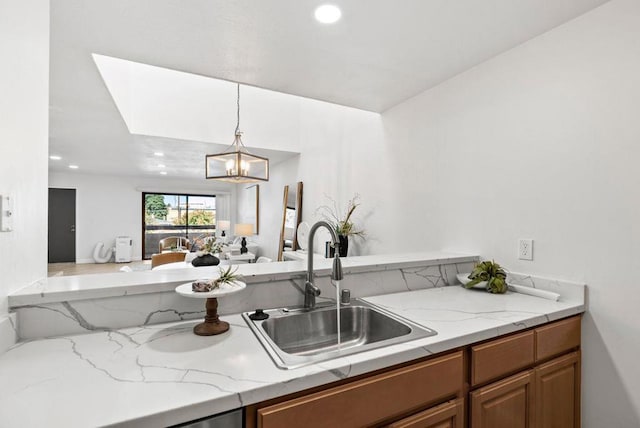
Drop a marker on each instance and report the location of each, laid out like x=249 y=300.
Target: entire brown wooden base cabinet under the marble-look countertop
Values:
x=529 y=379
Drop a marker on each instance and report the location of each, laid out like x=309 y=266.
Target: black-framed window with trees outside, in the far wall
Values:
x=175 y=215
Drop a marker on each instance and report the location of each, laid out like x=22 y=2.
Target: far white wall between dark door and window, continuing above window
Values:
x=110 y=206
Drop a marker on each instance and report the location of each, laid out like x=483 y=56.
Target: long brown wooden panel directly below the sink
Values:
x=371 y=400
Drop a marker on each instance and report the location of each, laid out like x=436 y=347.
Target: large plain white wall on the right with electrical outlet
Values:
x=543 y=142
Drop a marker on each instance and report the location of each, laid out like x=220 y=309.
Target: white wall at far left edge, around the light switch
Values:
x=24 y=85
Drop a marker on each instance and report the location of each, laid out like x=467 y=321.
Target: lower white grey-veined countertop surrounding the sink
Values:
x=163 y=374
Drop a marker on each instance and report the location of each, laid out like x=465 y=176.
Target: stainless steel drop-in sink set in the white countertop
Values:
x=296 y=337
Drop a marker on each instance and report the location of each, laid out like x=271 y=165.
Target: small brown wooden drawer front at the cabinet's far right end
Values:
x=557 y=338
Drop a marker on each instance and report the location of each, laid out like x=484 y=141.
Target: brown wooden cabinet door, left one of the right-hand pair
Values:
x=504 y=404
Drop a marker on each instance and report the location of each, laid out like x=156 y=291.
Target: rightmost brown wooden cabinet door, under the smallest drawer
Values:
x=557 y=392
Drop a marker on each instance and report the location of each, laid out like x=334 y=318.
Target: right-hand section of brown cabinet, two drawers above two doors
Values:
x=545 y=395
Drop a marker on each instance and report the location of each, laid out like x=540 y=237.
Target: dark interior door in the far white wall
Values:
x=62 y=225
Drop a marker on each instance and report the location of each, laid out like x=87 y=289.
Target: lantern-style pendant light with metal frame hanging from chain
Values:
x=236 y=164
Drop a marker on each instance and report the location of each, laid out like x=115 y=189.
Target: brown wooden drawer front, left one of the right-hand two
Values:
x=501 y=357
